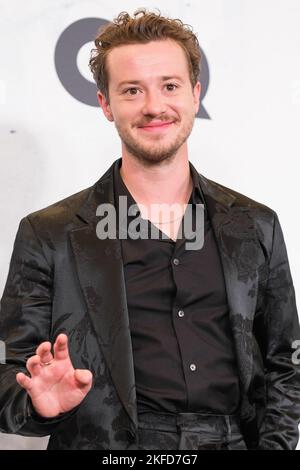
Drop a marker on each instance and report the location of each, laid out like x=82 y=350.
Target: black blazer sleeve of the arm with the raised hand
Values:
x=25 y=321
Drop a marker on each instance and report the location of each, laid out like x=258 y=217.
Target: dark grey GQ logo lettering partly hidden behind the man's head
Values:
x=68 y=45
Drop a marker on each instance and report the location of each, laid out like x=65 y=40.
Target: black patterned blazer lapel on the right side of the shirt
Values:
x=241 y=255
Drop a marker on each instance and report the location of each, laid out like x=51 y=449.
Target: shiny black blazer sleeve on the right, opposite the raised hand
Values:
x=279 y=428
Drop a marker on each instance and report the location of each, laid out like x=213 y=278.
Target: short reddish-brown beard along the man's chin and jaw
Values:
x=151 y=153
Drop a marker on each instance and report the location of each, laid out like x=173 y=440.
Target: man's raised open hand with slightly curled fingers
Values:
x=54 y=386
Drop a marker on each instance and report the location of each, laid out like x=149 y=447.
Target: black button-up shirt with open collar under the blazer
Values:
x=183 y=351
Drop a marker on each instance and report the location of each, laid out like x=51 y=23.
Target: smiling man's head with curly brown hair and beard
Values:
x=146 y=69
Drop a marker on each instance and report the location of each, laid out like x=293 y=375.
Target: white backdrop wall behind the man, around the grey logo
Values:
x=53 y=145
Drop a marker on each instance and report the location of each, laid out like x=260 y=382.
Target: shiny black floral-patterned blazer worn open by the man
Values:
x=62 y=278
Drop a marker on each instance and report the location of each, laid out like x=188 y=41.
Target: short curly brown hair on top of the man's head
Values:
x=143 y=27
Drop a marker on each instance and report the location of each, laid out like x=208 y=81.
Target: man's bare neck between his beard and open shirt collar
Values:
x=166 y=183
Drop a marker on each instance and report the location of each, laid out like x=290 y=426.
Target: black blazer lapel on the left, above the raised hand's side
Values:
x=100 y=271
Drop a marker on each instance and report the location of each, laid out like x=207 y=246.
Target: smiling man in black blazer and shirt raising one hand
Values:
x=154 y=346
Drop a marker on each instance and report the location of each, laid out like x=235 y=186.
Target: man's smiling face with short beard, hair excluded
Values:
x=149 y=85
